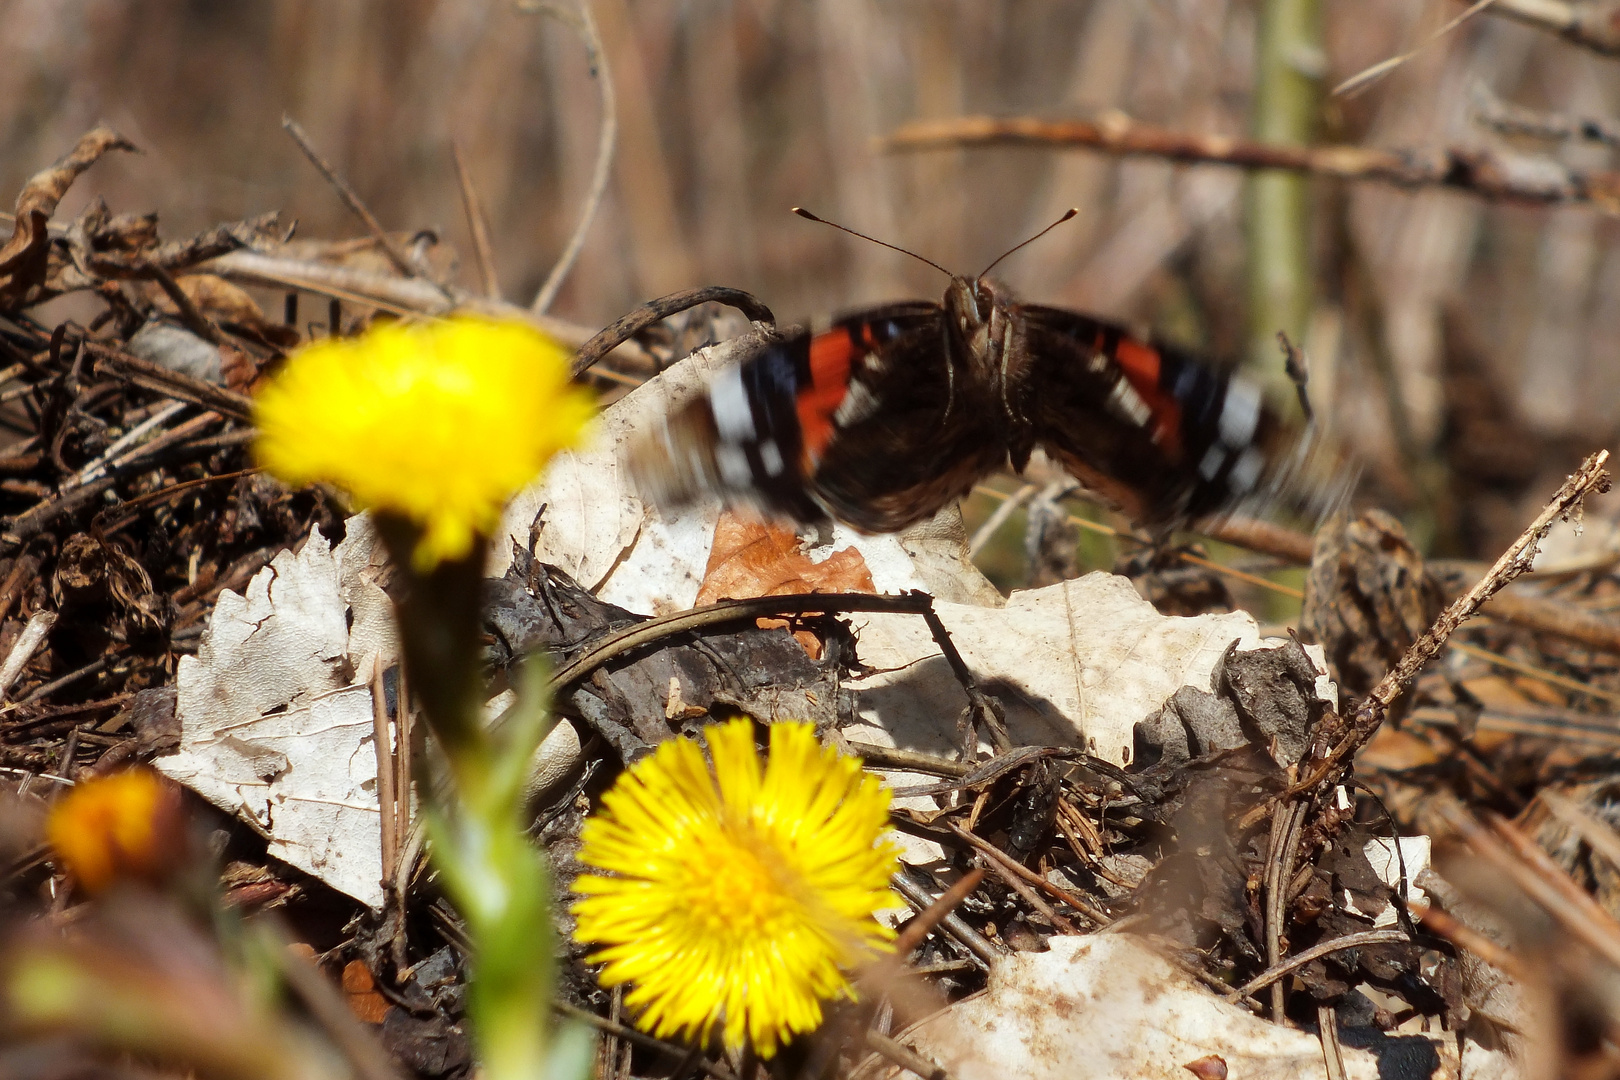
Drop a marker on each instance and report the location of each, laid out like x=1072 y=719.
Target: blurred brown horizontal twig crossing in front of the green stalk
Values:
x=1485 y=172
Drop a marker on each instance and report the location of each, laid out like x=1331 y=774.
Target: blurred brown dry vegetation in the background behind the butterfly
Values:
x=1469 y=349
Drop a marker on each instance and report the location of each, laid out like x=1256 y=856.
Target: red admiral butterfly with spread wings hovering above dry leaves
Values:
x=893 y=412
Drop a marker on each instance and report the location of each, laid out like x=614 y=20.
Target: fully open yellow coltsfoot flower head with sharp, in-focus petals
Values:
x=738 y=898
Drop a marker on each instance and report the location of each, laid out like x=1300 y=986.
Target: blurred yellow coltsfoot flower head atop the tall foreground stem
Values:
x=440 y=423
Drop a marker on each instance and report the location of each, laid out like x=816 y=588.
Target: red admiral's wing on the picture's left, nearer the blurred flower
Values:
x=859 y=423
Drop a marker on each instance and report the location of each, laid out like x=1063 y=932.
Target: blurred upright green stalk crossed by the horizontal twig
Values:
x=1287 y=91
